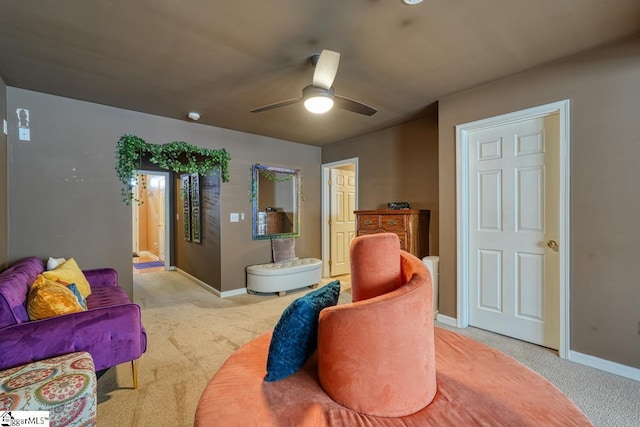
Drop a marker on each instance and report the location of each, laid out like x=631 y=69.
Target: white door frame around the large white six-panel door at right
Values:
x=462 y=215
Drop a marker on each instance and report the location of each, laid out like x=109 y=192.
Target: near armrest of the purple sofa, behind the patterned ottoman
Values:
x=112 y=335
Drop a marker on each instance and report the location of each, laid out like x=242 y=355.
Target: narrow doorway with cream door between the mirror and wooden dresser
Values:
x=339 y=201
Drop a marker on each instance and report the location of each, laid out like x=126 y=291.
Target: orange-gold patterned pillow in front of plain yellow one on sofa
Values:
x=48 y=298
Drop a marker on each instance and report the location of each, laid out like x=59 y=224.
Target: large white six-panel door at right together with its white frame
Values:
x=513 y=225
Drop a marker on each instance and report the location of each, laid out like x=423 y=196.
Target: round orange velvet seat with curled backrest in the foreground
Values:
x=376 y=367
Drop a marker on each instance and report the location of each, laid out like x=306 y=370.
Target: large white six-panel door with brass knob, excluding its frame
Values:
x=514 y=277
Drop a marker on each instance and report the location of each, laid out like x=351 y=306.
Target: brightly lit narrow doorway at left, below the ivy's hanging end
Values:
x=151 y=227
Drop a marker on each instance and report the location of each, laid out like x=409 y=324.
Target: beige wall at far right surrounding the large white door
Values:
x=603 y=88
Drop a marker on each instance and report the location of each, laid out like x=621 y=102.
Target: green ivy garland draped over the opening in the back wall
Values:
x=177 y=156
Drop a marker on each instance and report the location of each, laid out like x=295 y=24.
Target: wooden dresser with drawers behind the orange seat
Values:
x=411 y=226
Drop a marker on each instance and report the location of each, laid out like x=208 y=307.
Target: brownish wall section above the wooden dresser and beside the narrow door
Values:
x=396 y=164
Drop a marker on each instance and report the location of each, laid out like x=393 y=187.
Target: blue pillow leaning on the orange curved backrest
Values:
x=295 y=337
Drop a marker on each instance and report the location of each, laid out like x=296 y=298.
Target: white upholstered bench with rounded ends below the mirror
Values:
x=282 y=276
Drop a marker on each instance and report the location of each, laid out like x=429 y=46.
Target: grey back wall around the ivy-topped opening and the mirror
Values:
x=65 y=197
